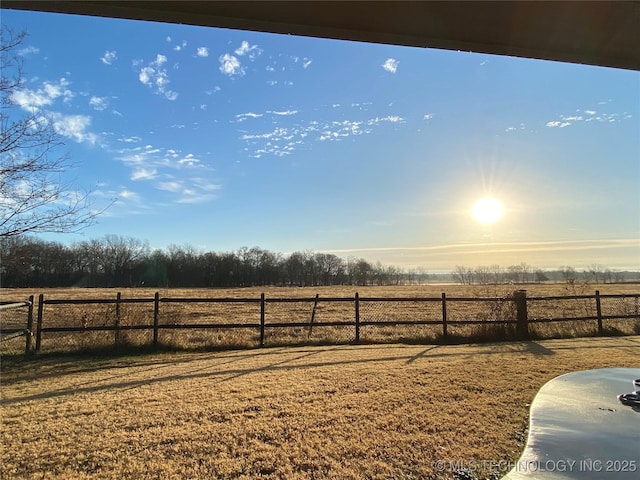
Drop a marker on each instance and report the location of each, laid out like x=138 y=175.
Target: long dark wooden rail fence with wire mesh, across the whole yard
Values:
x=63 y=325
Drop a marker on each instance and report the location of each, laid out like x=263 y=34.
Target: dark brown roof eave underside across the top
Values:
x=603 y=33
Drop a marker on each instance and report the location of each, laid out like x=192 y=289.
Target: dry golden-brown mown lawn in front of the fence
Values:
x=343 y=412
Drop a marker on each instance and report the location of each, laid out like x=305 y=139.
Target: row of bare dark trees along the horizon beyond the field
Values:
x=117 y=261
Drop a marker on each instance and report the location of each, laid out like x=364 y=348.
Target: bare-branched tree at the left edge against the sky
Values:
x=33 y=199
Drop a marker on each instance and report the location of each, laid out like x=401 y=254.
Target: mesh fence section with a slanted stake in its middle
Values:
x=312 y=321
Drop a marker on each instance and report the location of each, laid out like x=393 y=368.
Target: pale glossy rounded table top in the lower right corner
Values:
x=579 y=430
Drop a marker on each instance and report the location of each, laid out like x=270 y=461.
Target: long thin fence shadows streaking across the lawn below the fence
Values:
x=219 y=367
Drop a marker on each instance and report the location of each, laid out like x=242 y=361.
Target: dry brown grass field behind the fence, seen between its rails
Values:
x=141 y=314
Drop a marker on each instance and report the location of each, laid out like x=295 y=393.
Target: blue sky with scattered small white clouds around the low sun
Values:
x=220 y=139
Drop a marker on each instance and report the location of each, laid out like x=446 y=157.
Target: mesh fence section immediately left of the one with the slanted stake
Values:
x=239 y=320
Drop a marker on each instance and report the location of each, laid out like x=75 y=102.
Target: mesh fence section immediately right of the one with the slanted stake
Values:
x=384 y=320
